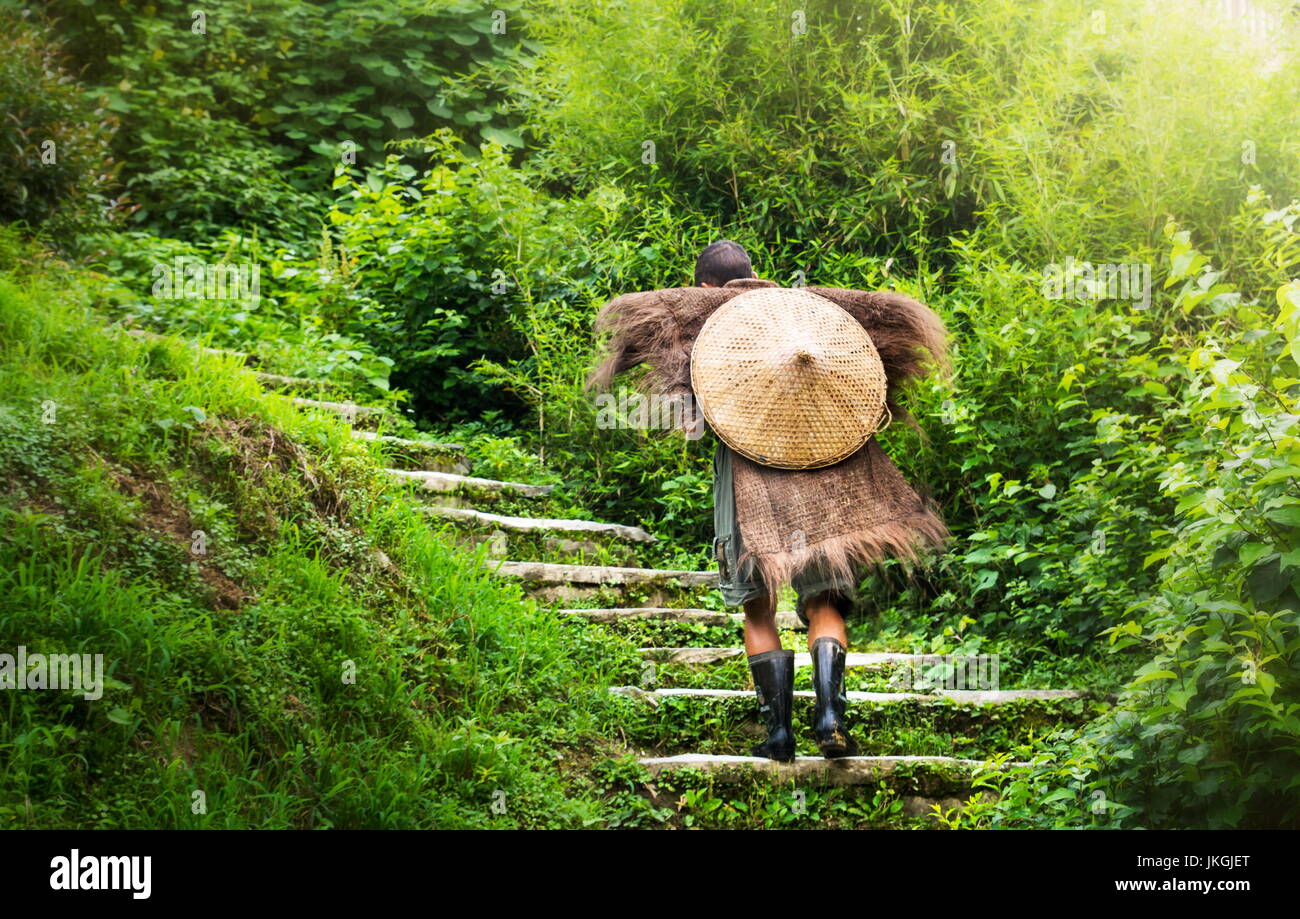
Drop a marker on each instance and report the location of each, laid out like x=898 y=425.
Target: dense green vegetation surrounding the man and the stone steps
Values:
x=439 y=200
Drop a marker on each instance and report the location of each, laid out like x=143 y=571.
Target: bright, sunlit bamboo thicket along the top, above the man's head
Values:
x=885 y=127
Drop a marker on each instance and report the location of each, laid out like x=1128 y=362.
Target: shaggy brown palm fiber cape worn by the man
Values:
x=826 y=523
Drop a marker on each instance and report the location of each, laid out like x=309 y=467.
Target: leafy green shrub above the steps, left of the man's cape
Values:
x=458 y=258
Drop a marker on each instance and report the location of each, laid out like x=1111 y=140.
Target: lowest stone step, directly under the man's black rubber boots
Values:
x=843 y=771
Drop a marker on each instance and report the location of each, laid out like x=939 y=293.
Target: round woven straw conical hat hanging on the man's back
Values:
x=788 y=379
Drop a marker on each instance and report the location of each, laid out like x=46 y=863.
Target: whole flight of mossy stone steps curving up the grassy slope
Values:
x=717 y=725
